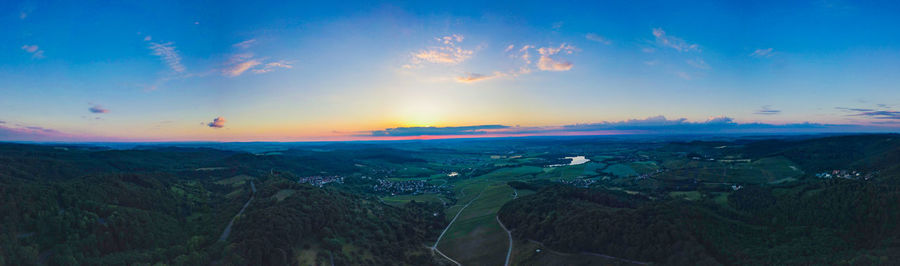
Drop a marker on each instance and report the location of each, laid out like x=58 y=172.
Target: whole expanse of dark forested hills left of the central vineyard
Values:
x=83 y=205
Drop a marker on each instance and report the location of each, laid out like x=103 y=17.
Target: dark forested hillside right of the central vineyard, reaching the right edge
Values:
x=812 y=220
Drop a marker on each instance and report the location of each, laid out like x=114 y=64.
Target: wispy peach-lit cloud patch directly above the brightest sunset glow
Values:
x=447 y=53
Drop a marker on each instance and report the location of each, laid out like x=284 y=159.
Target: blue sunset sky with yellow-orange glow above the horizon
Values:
x=342 y=70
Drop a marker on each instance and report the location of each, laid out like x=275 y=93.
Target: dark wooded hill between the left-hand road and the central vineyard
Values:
x=289 y=219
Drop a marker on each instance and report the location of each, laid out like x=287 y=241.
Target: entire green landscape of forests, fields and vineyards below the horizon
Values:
x=784 y=201
